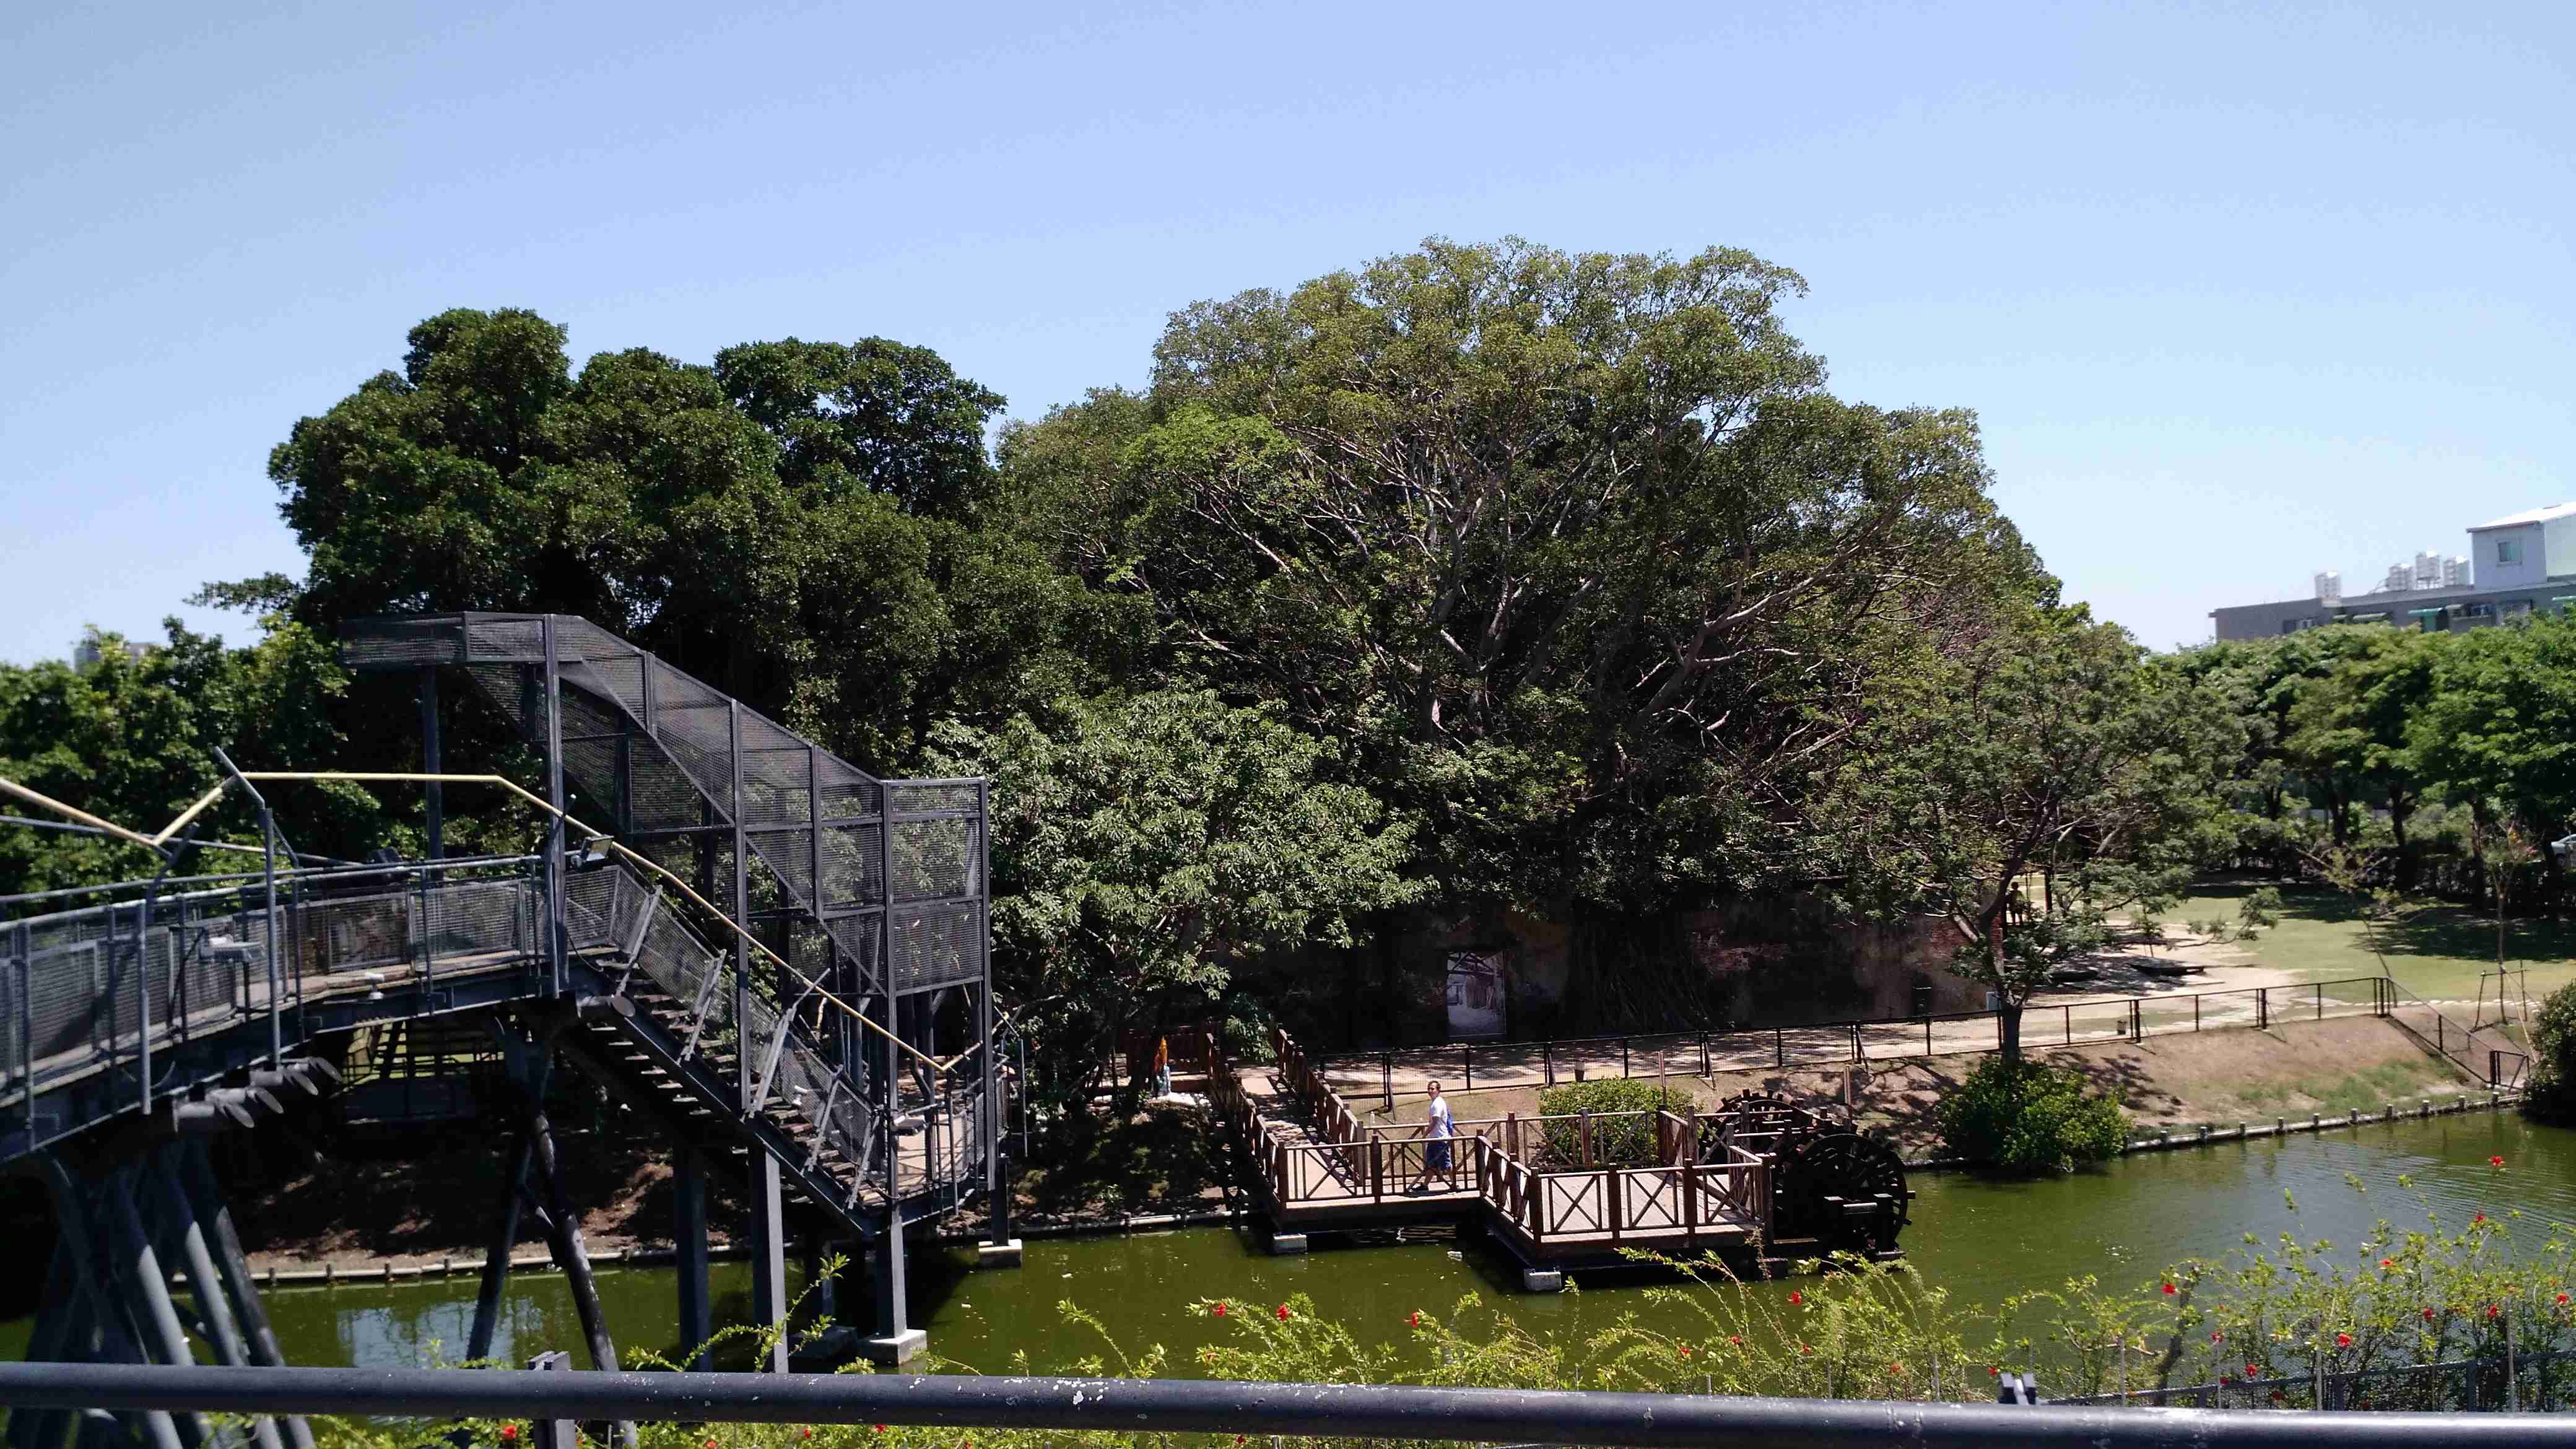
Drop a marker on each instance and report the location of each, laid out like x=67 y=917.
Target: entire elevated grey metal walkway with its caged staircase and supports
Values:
x=769 y=950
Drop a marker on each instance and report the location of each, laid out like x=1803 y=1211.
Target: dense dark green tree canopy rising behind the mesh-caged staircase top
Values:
x=795 y=522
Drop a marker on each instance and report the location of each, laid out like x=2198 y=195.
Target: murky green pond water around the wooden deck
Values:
x=1980 y=1239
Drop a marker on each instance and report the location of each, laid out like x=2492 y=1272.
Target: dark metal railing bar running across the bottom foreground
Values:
x=1222 y=1406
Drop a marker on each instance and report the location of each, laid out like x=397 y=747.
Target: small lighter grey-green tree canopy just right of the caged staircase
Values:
x=1150 y=847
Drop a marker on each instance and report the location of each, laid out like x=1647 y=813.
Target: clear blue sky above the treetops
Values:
x=2240 y=293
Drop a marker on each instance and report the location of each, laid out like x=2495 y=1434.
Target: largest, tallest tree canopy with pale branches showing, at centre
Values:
x=1573 y=550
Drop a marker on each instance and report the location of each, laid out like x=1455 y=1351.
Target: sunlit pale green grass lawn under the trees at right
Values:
x=2436 y=955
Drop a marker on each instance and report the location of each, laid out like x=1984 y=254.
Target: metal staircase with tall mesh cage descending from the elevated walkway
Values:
x=857 y=1045
